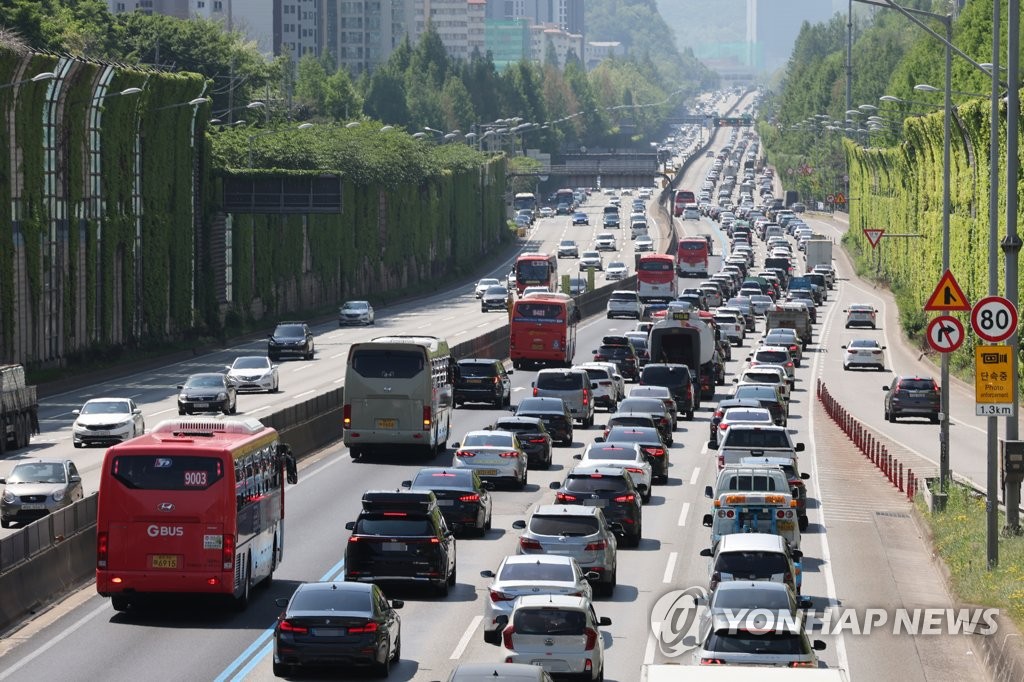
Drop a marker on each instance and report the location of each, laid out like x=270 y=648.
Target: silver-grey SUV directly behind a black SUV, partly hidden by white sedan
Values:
x=578 y=532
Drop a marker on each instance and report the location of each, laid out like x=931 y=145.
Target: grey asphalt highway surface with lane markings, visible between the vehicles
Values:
x=845 y=547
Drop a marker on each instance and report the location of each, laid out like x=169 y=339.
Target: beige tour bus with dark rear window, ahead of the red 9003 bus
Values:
x=398 y=396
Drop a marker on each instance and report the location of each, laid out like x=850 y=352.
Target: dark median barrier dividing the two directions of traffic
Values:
x=47 y=560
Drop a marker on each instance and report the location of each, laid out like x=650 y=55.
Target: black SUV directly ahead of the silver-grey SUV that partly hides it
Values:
x=613 y=490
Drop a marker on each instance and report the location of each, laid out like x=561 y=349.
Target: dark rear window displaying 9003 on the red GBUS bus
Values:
x=167 y=473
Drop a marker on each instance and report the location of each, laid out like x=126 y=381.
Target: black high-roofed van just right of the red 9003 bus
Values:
x=401 y=537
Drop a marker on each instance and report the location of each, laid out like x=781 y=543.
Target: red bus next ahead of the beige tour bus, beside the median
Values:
x=542 y=331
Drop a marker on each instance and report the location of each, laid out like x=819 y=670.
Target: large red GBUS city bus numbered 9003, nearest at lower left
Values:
x=195 y=506
